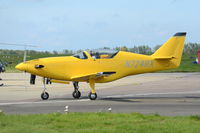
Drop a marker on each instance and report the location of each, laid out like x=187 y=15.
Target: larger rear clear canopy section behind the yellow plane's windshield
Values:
x=103 y=53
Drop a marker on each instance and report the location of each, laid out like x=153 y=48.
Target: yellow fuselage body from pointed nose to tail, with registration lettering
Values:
x=123 y=63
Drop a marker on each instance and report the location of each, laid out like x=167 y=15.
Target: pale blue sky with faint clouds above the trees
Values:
x=90 y=24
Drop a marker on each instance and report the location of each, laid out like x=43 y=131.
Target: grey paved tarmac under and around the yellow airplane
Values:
x=162 y=93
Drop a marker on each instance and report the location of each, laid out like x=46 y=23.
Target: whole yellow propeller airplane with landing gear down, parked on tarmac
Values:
x=103 y=66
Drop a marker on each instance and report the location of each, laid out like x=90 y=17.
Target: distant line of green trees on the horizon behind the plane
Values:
x=190 y=49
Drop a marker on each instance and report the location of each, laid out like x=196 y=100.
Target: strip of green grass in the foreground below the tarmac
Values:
x=98 y=123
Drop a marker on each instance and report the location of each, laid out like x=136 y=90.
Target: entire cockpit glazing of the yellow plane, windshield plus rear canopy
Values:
x=97 y=54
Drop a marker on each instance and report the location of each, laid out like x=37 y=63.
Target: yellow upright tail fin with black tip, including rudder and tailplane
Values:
x=172 y=49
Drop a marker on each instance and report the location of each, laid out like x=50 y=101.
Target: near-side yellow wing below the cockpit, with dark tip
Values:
x=92 y=76
